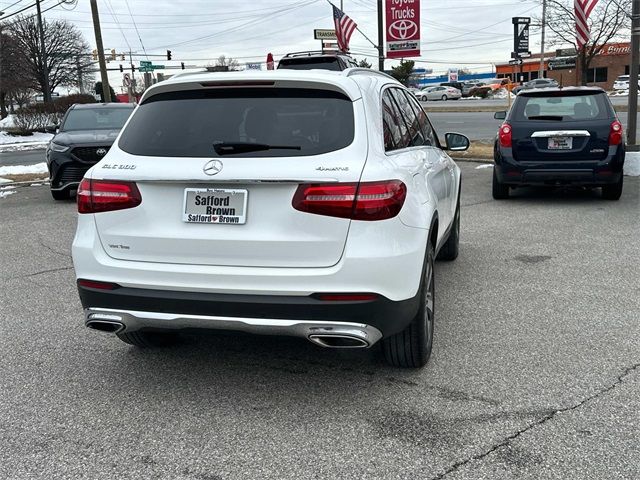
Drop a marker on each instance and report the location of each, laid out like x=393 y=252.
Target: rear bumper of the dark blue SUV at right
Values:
x=549 y=172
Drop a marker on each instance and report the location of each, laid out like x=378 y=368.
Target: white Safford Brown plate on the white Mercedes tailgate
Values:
x=215 y=205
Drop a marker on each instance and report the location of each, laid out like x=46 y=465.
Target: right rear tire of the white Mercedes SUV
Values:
x=411 y=348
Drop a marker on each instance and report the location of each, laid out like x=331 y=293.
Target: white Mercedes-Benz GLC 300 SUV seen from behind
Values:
x=304 y=203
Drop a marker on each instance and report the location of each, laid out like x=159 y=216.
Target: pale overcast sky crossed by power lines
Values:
x=455 y=33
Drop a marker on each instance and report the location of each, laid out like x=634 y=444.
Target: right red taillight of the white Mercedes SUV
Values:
x=358 y=201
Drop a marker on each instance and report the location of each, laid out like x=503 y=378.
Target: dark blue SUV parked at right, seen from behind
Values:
x=560 y=136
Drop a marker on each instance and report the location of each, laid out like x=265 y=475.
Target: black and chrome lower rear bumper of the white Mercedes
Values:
x=145 y=309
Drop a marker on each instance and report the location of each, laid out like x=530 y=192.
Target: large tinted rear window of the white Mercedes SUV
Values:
x=245 y=122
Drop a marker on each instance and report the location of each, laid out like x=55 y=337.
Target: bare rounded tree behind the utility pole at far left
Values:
x=66 y=51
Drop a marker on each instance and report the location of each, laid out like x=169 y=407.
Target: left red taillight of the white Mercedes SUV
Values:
x=96 y=196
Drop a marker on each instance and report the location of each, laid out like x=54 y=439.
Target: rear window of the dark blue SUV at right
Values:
x=565 y=107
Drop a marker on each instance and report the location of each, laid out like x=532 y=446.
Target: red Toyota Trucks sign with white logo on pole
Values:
x=403 y=28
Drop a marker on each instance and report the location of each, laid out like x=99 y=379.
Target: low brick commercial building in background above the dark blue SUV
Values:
x=612 y=61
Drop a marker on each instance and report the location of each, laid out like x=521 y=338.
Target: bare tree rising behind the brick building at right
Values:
x=609 y=21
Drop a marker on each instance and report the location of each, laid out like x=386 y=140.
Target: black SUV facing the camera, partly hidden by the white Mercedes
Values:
x=83 y=138
